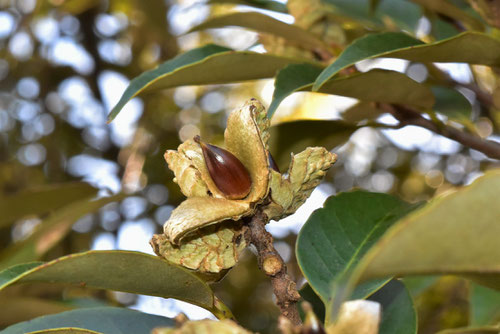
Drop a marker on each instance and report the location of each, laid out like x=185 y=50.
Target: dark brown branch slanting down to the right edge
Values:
x=408 y=116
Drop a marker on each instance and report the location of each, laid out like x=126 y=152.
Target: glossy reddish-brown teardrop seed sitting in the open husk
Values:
x=228 y=173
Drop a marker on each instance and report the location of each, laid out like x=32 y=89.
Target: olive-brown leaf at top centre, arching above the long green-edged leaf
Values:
x=266 y=24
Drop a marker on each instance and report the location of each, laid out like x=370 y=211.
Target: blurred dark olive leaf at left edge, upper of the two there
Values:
x=40 y=200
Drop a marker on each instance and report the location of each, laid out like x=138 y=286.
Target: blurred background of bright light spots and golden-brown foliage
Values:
x=65 y=63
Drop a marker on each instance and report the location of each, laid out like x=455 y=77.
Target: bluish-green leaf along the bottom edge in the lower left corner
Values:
x=109 y=320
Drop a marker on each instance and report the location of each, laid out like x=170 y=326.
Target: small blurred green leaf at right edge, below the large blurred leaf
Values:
x=484 y=306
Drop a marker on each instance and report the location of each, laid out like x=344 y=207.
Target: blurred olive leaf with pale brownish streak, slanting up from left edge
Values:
x=51 y=231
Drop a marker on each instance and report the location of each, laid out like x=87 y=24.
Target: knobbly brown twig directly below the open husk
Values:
x=271 y=263
